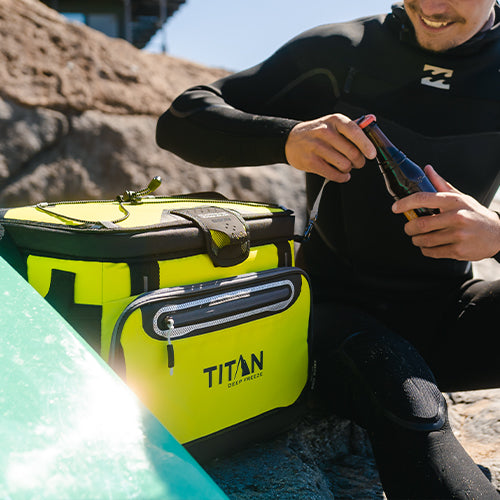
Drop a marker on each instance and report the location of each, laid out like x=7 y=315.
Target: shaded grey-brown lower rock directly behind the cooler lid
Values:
x=49 y=155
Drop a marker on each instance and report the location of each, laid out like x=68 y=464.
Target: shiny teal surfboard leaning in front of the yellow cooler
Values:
x=69 y=427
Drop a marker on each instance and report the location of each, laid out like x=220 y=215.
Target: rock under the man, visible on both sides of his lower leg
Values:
x=325 y=457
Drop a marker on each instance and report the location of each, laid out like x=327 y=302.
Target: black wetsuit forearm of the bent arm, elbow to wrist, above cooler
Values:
x=202 y=127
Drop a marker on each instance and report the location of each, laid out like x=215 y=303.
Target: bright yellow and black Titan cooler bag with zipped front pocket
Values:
x=193 y=299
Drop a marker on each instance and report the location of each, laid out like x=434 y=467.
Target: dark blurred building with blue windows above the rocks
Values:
x=134 y=20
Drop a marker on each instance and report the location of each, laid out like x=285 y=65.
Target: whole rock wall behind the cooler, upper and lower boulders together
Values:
x=78 y=113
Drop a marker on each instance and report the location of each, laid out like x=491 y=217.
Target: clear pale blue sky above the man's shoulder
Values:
x=236 y=34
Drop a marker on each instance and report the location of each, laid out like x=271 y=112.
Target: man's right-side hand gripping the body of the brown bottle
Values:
x=463 y=230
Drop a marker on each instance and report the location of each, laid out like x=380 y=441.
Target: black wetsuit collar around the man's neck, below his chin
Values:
x=399 y=22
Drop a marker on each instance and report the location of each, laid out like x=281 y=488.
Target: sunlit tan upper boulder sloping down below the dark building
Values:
x=46 y=61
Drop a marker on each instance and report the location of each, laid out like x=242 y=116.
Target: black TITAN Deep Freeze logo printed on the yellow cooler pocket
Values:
x=236 y=371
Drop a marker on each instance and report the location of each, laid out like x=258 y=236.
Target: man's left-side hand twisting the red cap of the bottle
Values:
x=330 y=146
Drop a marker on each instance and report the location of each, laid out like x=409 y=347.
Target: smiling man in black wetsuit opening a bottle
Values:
x=398 y=315
